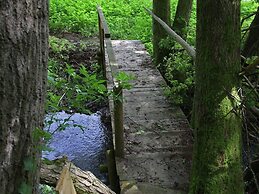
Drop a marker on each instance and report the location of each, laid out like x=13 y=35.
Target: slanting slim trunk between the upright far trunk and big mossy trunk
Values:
x=182 y=17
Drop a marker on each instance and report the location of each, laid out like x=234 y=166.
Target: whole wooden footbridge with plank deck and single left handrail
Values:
x=152 y=138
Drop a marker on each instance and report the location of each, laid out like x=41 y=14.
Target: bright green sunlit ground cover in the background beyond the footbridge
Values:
x=127 y=19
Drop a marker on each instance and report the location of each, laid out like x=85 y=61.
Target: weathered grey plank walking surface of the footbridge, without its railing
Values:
x=158 y=141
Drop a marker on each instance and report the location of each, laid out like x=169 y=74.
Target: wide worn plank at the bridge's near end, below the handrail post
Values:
x=159 y=168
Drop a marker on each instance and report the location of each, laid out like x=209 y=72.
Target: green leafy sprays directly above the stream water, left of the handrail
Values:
x=73 y=88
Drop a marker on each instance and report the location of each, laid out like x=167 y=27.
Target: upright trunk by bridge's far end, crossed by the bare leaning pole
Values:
x=161 y=8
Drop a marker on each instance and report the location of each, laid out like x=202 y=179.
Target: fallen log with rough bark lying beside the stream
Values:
x=84 y=181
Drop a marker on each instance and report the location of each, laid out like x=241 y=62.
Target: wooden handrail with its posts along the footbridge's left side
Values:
x=106 y=44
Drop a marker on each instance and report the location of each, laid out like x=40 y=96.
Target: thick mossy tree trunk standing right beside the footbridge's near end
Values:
x=217 y=150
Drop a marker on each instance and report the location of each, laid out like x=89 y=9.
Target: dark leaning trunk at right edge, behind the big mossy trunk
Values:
x=251 y=46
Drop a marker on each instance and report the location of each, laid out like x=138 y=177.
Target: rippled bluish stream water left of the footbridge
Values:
x=84 y=147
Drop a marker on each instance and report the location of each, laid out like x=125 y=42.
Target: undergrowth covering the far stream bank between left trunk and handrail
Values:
x=72 y=87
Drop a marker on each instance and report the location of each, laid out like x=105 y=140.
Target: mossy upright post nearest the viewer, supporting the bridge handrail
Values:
x=118 y=121
